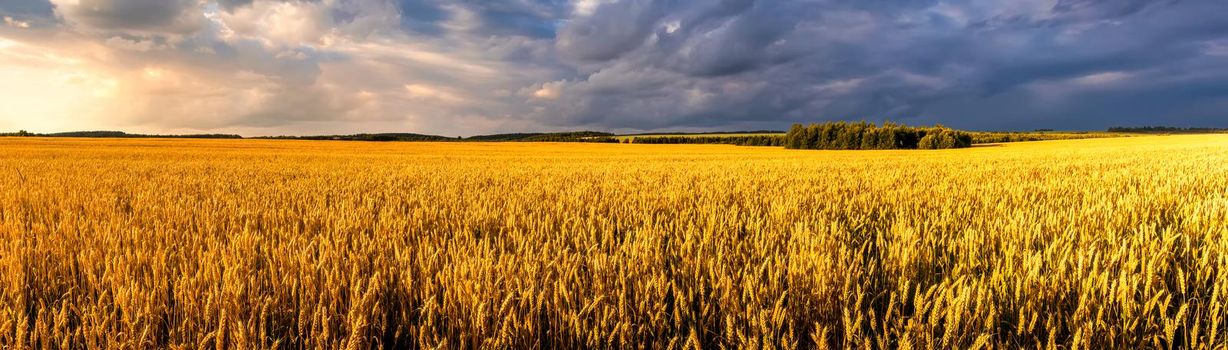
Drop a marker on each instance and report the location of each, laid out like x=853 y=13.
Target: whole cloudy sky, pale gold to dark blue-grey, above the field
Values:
x=473 y=67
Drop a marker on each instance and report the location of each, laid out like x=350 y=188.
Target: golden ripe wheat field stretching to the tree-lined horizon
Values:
x=289 y=245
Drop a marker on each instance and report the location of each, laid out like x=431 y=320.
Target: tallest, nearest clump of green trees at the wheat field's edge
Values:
x=863 y=136
